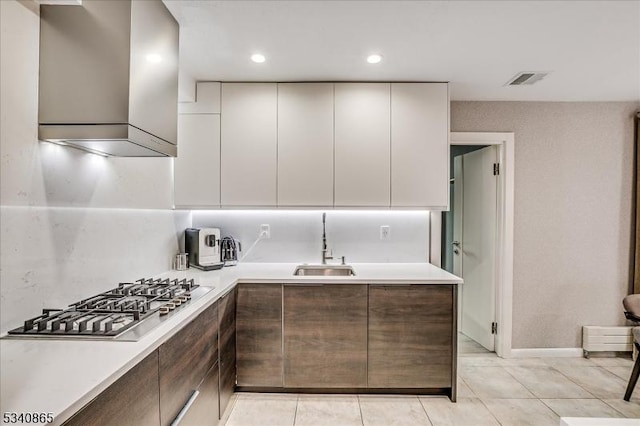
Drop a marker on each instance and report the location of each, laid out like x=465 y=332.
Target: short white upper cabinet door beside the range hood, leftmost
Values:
x=197 y=166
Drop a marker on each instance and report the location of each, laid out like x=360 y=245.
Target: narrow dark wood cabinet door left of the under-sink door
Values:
x=259 y=335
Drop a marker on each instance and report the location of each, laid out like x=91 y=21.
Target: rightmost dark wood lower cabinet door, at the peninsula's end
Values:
x=411 y=336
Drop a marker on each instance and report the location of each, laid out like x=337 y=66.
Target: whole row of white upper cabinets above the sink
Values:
x=314 y=145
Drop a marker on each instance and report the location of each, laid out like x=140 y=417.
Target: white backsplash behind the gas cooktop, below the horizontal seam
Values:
x=55 y=256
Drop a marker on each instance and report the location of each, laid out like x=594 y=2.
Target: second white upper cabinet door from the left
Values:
x=249 y=144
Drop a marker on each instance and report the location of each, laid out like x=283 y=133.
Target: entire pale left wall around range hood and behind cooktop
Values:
x=72 y=224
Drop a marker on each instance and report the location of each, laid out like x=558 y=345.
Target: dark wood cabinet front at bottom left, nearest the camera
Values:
x=131 y=400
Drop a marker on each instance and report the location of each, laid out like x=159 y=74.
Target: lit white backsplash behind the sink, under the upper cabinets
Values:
x=296 y=236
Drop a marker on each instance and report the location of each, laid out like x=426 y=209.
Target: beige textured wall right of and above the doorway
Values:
x=573 y=183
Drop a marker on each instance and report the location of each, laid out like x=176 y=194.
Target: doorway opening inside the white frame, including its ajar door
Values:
x=469 y=243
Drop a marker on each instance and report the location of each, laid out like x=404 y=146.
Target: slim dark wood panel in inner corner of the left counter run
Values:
x=227 y=342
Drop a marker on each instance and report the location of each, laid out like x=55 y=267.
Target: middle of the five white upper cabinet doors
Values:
x=305 y=144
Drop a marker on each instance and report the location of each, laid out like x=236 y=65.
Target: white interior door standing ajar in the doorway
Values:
x=478 y=244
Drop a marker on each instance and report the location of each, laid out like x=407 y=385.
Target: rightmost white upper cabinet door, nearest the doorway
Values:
x=419 y=145
